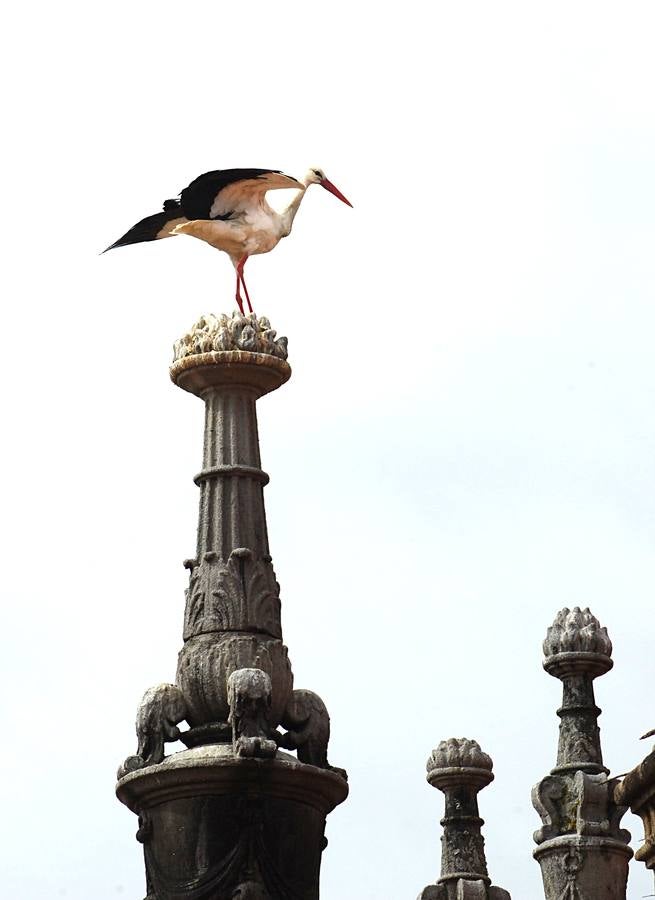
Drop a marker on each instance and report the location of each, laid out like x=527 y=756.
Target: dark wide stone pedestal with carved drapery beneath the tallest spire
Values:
x=216 y=827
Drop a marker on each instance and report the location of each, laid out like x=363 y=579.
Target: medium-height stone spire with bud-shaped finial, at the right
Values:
x=582 y=848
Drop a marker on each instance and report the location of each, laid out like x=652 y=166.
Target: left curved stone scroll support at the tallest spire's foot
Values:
x=159 y=713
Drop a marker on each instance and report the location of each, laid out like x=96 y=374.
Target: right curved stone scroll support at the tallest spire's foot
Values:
x=308 y=724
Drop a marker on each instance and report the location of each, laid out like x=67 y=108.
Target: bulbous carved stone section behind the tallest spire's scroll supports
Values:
x=206 y=662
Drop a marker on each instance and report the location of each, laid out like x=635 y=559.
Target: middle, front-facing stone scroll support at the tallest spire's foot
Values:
x=249 y=697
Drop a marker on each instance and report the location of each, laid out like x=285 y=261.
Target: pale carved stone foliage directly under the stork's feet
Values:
x=235 y=332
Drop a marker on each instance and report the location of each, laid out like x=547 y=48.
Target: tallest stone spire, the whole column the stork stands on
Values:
x=232 y=817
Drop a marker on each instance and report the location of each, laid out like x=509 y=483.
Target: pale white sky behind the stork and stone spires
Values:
x=466 y=444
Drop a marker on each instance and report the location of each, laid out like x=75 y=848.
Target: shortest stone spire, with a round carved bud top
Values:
x=460 y=769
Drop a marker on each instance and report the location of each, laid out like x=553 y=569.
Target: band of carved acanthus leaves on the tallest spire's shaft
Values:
x=240 y=594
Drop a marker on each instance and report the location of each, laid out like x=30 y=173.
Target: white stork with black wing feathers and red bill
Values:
x=228 y=210
